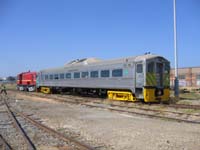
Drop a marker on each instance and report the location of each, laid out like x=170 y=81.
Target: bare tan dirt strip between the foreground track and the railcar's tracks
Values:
x=115 y=130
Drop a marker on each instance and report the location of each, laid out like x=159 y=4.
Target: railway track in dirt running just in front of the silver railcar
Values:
x=162 y=112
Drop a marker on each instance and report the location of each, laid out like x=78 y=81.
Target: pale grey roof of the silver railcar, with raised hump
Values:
x=95 y=61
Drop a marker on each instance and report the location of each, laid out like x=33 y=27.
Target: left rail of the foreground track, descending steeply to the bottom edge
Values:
x=18 y=126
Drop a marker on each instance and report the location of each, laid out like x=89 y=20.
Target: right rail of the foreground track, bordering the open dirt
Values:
x=53 y=132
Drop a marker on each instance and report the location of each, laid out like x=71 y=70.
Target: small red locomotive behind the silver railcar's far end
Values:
x=26 y=81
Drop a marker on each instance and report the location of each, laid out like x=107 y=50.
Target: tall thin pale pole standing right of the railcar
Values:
x=176 y=82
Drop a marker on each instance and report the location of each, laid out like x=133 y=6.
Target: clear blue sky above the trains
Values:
x=39 y=34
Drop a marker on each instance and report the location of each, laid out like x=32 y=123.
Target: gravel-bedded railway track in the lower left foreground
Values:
x=29 y=123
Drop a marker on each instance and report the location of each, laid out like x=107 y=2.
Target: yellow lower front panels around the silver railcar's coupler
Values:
x=150 y=95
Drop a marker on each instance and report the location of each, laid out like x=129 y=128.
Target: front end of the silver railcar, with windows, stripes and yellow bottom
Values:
x=156 y=85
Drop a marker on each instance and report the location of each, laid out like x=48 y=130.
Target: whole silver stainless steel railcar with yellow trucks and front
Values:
x=144 y=77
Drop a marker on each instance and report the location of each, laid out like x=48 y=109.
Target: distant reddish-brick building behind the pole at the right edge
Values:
x=188 y=77
